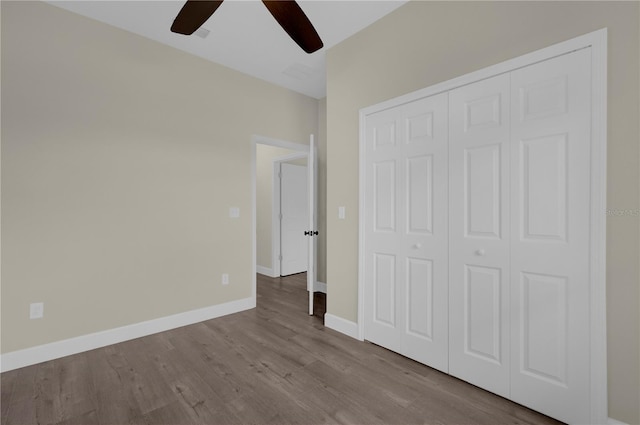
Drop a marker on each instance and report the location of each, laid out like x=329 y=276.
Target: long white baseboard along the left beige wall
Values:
x=54 y=350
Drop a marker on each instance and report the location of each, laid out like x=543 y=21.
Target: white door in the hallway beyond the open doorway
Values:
x=294 y=217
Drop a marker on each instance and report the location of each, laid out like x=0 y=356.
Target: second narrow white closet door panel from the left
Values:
x=425 y=241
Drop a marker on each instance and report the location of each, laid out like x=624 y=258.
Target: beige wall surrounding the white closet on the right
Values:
x=423 y=43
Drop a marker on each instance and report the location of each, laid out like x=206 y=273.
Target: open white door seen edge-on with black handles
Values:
x=312 y=214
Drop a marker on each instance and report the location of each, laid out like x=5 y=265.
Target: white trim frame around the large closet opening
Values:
x=597 y=41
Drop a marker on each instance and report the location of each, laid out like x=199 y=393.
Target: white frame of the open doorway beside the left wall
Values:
x=255 y=141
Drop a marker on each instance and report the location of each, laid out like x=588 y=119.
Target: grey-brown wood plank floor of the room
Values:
x=271 y=365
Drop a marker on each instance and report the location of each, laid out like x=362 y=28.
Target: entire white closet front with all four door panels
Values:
x=476 y=232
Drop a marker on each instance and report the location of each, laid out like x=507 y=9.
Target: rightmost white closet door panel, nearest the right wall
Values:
x=550 y=175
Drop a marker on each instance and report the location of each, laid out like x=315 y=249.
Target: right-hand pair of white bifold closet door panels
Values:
x=519 y=241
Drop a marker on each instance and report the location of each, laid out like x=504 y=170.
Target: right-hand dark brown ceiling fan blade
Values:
x=293 y=20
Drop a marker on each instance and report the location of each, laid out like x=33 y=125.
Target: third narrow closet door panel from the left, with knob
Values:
x=479 y=234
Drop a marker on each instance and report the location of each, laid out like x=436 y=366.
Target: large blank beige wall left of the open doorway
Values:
x=120 y=160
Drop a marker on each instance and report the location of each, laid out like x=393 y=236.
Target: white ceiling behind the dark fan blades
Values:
x=244 y=36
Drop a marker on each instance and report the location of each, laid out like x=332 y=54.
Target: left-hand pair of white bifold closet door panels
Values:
x=405 y=261
